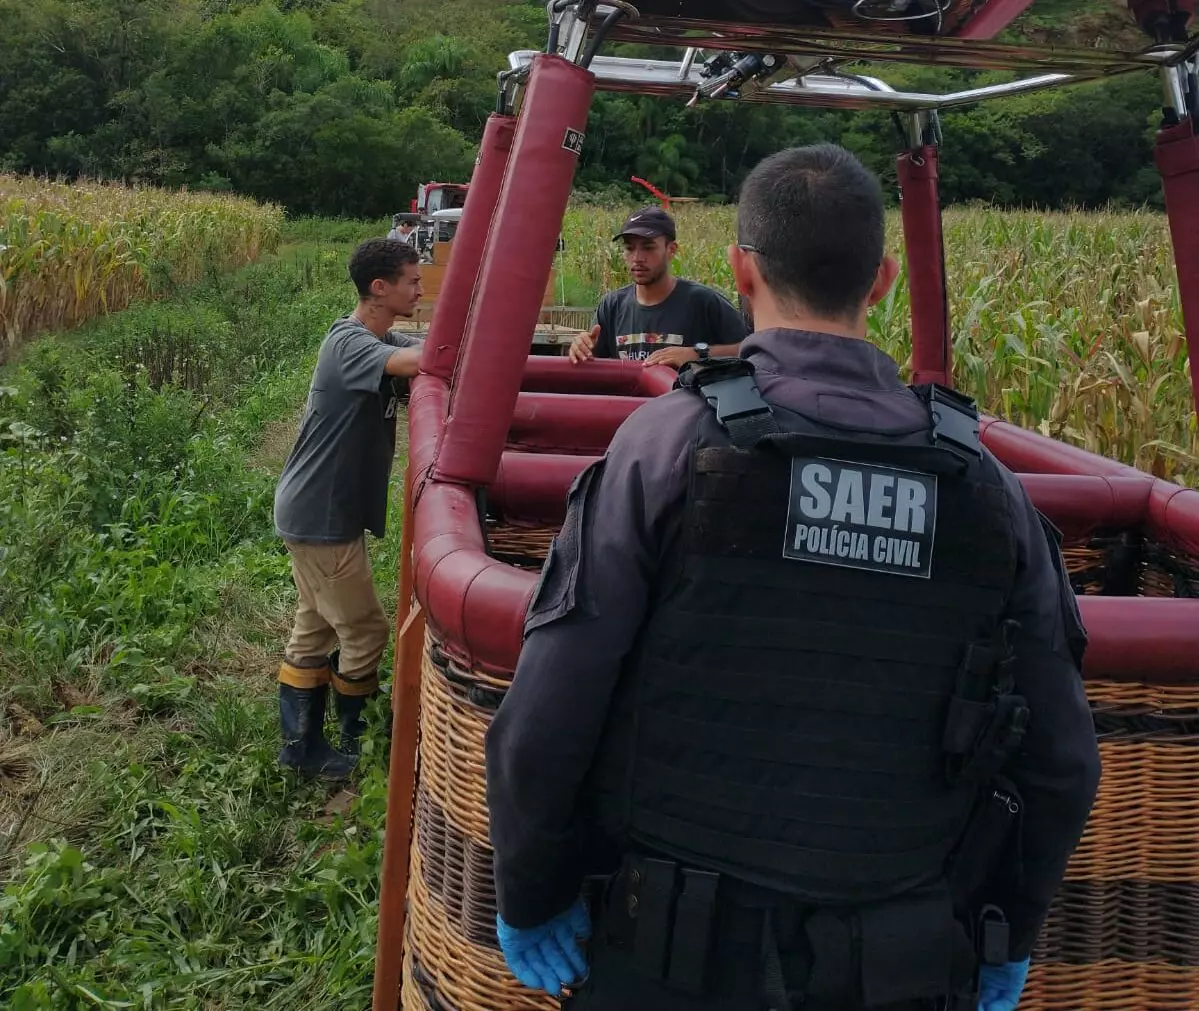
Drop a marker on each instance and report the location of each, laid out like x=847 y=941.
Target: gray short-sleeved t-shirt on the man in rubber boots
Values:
x=335 y=483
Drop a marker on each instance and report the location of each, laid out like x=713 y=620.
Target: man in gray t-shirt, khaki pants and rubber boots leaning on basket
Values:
x=334 y=489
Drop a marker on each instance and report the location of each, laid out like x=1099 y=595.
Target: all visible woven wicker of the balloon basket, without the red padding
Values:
x=1124 y=930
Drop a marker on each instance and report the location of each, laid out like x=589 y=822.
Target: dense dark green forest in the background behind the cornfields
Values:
x=342 y=107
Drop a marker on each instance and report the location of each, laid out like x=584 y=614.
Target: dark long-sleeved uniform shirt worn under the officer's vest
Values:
x=587 y=615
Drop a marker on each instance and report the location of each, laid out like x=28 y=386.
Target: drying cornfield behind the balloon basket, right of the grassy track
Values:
x=1065 y=323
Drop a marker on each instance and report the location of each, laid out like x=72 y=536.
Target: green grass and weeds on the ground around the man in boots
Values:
x=154 y=854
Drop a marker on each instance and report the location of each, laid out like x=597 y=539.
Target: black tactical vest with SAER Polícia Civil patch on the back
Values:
x=821 y=689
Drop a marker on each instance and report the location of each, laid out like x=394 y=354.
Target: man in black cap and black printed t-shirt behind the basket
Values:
x=659 y=320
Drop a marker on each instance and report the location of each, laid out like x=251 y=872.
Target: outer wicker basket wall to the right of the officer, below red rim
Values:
x=1124 y=929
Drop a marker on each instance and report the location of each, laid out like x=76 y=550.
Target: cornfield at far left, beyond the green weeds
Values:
x=73 y=252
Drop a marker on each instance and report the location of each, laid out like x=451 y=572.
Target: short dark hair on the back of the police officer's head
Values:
x=815 y=218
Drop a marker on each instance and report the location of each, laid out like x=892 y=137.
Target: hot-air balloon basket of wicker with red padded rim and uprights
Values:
x=498 y=434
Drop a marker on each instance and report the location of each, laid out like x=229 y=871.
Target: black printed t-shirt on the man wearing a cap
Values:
x=690 y=315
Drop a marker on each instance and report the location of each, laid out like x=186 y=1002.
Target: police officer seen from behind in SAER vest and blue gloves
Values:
x=799 y=720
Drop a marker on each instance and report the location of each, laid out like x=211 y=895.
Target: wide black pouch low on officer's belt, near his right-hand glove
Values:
x=906 y=949
